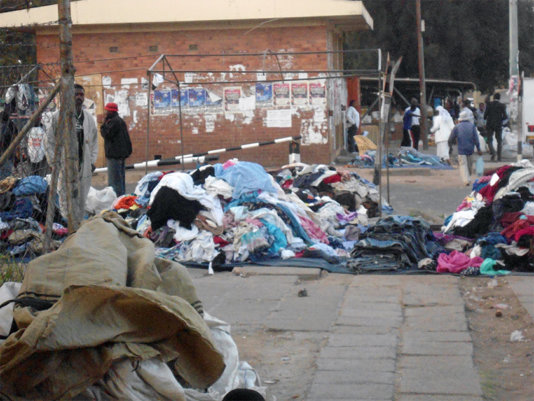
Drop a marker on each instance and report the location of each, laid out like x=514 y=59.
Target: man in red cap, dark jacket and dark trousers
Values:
x=117 y=146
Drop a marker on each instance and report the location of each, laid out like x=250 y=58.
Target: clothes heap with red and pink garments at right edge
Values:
x=492 y=229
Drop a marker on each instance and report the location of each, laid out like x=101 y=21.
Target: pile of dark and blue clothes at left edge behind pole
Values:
x=23 y=205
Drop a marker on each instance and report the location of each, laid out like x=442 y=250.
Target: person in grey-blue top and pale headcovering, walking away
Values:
x=466 y=135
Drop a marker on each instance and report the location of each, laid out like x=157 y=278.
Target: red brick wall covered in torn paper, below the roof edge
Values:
x=204 y=128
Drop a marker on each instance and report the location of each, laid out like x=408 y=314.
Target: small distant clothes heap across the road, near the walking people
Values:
x=406 y=157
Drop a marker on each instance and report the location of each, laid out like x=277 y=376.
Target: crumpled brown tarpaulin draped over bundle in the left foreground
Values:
x=114 y=301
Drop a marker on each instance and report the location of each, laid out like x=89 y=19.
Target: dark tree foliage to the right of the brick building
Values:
x=463 y=40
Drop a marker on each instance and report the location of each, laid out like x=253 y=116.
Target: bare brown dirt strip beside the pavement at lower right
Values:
x=506 y=367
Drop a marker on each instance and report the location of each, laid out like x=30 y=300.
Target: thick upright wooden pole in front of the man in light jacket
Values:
x=66 y=118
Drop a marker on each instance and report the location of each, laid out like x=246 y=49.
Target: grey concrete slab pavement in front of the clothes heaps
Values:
x=367 y=337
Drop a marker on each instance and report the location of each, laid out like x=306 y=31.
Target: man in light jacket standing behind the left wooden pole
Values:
x=87 y=146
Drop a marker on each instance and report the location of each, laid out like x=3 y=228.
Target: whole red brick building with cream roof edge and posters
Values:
x=249 y=71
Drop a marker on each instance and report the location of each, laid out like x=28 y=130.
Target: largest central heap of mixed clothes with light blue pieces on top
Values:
x=235 y=212
